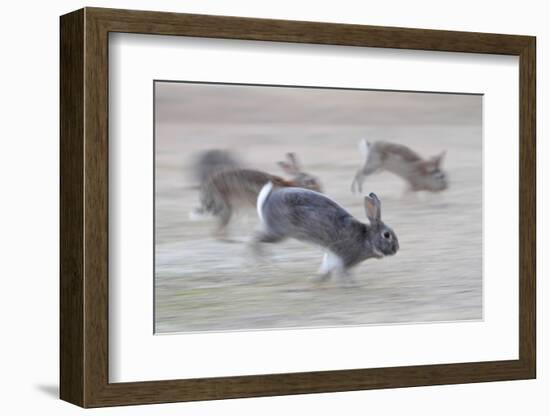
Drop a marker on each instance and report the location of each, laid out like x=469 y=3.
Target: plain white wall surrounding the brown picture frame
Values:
x=29 y=210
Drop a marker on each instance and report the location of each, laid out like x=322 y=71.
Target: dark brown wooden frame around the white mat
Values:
x=84 y=213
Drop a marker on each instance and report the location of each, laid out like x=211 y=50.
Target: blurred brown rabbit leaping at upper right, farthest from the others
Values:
x=420 y=174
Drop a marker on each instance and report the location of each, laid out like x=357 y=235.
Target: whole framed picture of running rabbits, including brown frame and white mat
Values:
x=254 y=207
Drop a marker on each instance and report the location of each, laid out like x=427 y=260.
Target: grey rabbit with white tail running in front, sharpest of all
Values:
x=312 y=217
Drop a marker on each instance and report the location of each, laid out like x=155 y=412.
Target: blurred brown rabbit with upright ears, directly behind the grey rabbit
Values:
x=227 y=190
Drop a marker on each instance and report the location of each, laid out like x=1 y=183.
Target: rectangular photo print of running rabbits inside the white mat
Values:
x=284 y=207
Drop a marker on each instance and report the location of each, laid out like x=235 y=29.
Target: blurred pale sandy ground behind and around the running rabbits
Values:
x=204 y=284
